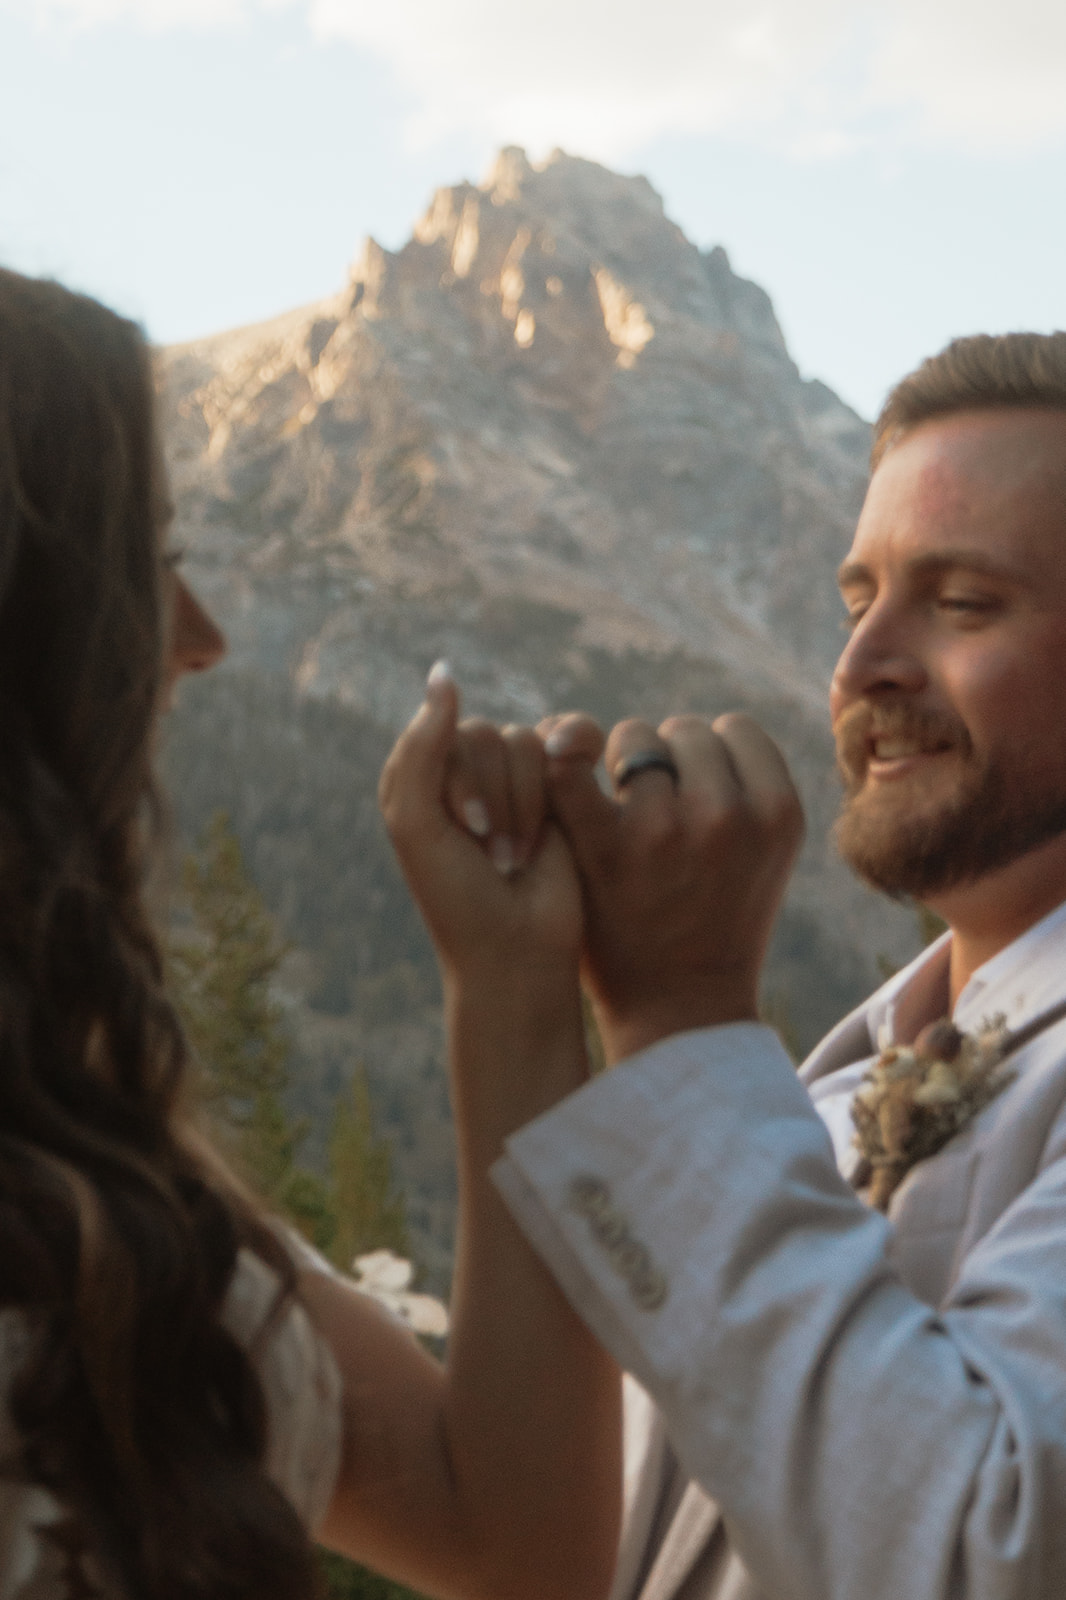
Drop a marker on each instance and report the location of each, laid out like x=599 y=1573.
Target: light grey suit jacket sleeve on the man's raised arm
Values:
x=857 y=1441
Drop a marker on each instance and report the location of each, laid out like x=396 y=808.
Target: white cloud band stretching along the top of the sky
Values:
x=607 y=76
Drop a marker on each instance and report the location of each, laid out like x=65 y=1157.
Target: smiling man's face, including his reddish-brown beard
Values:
x=950 y=702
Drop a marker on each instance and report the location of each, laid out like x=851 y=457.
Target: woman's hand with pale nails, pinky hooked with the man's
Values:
x=467 y=807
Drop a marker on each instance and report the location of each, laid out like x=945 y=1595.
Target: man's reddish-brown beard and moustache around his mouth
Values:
x=904 y=847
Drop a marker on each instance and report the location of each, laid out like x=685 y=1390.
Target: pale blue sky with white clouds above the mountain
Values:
x=892 y=175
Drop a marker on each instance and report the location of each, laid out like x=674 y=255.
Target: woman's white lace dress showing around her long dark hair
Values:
x=303 y=1391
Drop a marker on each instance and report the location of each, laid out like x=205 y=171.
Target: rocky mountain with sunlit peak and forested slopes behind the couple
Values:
x=555 y=442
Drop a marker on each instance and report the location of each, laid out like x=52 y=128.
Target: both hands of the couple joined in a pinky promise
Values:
x=667 y=890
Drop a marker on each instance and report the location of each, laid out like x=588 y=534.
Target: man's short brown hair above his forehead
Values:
x=976 y=374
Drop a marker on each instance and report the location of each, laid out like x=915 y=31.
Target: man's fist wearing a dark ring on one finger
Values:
x=683 y=879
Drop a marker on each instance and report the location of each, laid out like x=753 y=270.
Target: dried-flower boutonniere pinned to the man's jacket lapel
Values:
x=918 y=1097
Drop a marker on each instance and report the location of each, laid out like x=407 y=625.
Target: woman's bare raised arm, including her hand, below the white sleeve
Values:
x=497 y=1476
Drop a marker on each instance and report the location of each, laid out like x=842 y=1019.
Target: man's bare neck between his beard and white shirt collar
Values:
x=988 y=916
